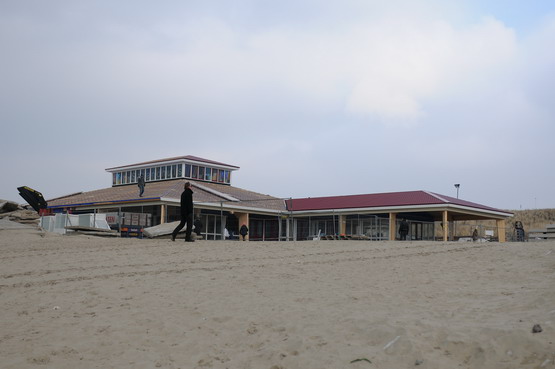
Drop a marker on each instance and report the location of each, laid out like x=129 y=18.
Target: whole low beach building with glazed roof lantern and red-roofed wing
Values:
x=221 y=206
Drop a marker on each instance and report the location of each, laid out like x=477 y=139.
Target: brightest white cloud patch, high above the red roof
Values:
x=409 y=66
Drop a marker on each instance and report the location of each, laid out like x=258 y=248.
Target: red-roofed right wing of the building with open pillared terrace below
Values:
x=377 y=216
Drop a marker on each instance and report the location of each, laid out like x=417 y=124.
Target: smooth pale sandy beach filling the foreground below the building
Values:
x=88 y=302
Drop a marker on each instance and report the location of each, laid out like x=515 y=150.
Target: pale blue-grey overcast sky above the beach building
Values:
x=310 y=98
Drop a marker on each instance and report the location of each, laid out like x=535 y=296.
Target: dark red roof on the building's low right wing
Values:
x=391 y=199
